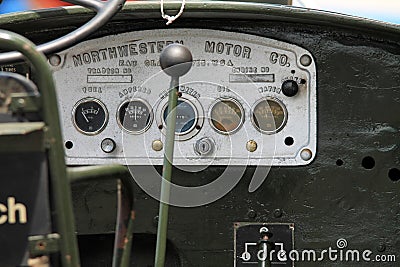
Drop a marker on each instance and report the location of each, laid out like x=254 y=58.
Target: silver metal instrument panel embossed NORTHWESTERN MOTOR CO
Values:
x=112 y=96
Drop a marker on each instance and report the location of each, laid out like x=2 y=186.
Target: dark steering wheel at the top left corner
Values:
x=105 y=11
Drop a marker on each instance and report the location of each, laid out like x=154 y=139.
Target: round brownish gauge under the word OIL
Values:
x=226 y=115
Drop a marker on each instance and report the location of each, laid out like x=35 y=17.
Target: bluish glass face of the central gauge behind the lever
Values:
x=185 y=117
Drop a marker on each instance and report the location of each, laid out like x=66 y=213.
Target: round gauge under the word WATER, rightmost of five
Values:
x=269 y=116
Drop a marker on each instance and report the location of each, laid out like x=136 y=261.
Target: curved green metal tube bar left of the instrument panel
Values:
x=52 y=133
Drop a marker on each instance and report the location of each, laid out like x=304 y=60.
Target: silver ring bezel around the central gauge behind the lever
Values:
x=199 y=117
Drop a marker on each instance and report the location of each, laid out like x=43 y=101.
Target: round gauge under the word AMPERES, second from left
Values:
x=135 y=116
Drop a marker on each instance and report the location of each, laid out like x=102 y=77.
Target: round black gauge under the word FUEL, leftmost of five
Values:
x=90 y=116
